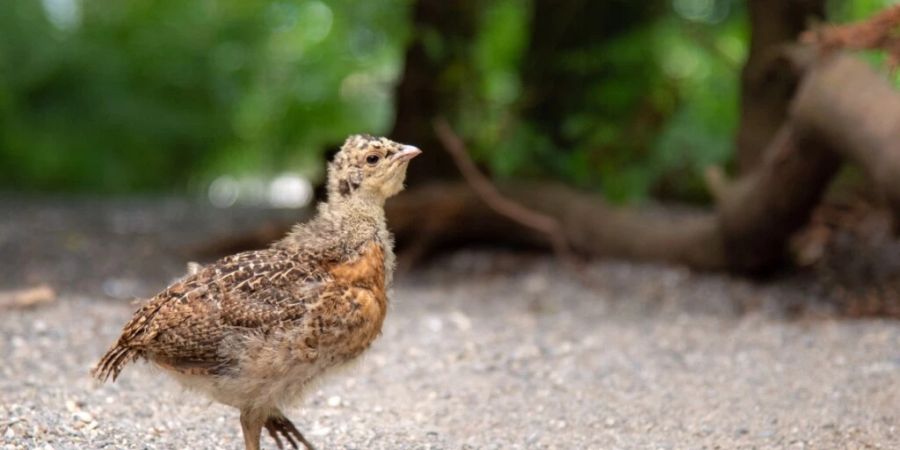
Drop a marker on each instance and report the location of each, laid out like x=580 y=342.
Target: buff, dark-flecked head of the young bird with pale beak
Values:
x=368 y=167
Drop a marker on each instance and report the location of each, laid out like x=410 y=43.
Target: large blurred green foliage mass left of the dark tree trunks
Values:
x=138 y=95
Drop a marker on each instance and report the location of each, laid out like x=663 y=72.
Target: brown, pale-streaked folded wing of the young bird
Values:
x=185 y=325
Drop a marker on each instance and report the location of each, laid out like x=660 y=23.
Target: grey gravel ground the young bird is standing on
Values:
x=480 y=350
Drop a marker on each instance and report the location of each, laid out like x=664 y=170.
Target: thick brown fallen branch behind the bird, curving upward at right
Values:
x=748 y=232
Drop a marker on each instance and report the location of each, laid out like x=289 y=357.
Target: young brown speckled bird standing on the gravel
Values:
x=252 y=330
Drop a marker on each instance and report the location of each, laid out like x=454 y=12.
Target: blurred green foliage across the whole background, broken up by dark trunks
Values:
x=161 y=95
